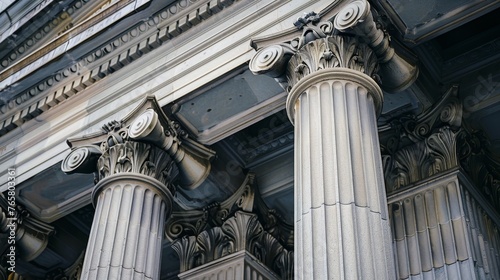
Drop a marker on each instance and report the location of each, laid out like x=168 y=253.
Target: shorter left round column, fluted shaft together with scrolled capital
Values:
x=136 y=163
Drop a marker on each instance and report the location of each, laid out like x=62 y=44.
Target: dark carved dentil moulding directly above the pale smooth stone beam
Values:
x=109 y=58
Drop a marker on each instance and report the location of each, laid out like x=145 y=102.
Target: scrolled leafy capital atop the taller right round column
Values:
x=354 y=19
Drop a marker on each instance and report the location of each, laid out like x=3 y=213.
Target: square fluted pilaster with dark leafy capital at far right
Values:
x=440 y=202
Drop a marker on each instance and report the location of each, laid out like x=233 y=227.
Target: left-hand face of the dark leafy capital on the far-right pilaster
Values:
x=417 y=147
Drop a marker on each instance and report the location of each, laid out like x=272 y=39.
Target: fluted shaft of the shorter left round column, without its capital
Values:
x=126 y=237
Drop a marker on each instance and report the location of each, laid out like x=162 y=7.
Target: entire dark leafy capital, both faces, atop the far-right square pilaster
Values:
x=415 y=148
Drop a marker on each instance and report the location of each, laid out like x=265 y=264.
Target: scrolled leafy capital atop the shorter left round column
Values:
x=145 y=142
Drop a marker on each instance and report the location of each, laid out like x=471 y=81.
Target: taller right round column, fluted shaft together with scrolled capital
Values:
x=342 y=229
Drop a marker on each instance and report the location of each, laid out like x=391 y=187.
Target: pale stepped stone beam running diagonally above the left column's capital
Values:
x=220 y=44
